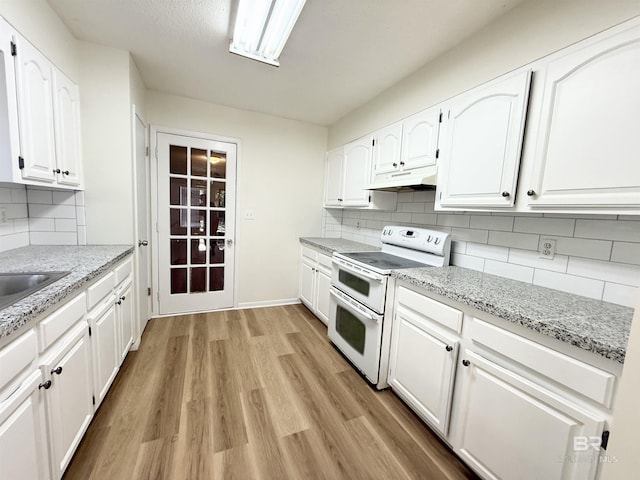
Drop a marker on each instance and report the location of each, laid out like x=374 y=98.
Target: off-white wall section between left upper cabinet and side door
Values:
x=106 y=141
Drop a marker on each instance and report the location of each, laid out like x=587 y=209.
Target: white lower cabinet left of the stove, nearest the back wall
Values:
x=315 y=280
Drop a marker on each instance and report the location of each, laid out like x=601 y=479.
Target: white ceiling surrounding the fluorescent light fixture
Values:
x=341 y=53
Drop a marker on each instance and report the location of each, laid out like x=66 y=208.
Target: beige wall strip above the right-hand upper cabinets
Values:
x=530 y=31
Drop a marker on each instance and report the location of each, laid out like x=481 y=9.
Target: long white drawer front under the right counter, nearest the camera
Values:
x=591 y=382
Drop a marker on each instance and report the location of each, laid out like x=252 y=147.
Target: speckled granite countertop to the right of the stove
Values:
x=592 y=325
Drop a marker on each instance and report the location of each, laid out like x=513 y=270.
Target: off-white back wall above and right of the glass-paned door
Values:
x=280 y=171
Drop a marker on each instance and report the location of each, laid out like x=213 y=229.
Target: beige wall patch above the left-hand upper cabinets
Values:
x=39 y=24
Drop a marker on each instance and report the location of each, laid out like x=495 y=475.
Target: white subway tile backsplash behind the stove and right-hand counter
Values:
x=596 y=256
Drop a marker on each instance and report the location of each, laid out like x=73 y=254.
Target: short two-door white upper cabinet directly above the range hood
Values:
x=406 y=152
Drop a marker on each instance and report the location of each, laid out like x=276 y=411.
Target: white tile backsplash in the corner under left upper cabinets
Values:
x=41 y=216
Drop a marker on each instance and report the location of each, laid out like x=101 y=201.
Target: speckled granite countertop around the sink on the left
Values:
x=84 y=262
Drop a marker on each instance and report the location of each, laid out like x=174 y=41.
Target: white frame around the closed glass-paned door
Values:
x=155 y=130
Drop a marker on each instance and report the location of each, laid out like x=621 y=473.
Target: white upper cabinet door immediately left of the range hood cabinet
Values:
x=357 y=163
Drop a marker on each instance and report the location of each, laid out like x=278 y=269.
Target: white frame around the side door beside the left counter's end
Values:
x=140 y=324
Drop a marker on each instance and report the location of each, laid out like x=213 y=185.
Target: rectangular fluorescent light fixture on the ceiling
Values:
x=263 y=27
